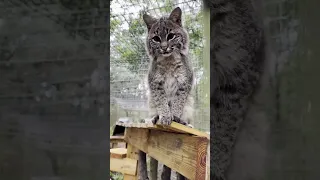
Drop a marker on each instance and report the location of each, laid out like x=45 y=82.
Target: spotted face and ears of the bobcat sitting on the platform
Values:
x=166 y=35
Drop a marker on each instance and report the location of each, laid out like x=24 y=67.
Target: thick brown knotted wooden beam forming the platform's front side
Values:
x=183 y=153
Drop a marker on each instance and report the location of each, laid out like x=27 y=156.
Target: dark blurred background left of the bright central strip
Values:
x=54 y=89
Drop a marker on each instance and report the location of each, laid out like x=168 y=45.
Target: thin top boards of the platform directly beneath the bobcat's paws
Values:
x=173 y=127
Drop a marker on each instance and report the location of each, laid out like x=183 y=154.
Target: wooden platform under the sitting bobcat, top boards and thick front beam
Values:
x=181 y=148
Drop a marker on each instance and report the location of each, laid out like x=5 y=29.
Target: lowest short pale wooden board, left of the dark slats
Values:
x=125 y=166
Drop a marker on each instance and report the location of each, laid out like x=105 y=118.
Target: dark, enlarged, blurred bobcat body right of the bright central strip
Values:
x=237 y=51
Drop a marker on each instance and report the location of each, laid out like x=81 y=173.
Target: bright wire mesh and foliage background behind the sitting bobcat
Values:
x=129 y=62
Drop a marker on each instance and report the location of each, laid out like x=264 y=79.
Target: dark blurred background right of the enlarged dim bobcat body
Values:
x=279 y=139
